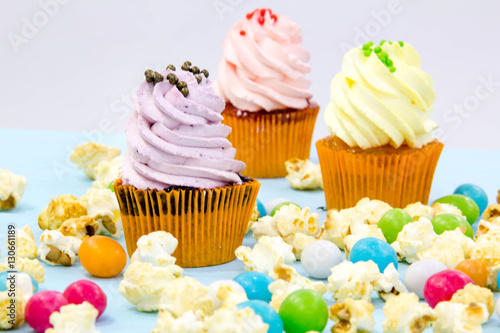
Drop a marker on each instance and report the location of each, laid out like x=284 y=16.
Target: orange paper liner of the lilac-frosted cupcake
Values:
x=208 y=223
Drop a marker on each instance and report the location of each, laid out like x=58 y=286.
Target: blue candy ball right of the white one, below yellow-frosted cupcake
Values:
x=374 y=249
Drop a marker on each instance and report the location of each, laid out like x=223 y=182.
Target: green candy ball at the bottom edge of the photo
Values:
x=304 y=310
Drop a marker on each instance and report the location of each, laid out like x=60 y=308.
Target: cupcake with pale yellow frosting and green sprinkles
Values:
x=381 y=144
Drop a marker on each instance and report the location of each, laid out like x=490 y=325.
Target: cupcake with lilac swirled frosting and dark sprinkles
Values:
x=179 y=173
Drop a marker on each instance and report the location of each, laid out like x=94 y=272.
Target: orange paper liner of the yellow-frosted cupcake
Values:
x=397 y=176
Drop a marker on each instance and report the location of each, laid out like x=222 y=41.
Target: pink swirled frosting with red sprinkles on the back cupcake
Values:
x=264 y=64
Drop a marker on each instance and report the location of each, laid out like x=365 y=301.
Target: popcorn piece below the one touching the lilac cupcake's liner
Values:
x=144 y=283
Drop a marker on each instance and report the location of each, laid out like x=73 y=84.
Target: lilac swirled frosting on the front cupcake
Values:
x=174 y=140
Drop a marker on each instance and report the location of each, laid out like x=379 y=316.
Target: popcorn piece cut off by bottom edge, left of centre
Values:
x=187 y=323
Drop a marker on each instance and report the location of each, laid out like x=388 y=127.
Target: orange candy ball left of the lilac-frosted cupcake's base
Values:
x=102 y=256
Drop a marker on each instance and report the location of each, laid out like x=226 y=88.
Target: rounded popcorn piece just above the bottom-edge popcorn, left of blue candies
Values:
x=185 y=294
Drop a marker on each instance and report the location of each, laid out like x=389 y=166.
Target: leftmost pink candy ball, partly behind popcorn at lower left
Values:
x=40 y=306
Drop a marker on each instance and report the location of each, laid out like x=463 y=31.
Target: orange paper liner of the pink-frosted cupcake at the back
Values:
x=265 y=140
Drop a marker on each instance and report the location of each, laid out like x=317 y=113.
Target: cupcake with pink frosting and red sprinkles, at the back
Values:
x=268 y=104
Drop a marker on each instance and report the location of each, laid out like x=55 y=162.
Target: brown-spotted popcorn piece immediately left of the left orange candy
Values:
x=57 y=249
